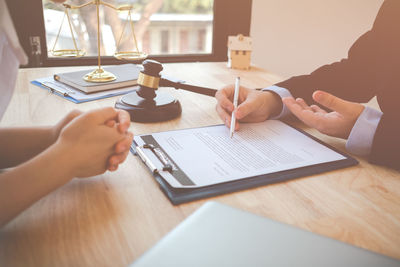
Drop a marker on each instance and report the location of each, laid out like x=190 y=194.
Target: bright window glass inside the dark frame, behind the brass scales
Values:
x=161 y=27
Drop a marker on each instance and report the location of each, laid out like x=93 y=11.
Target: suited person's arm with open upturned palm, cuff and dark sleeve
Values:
x=370 y=132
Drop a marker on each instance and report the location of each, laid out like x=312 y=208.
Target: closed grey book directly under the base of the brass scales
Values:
x=126 y=74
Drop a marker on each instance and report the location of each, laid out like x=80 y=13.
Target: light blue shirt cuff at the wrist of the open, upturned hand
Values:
x=362 y=135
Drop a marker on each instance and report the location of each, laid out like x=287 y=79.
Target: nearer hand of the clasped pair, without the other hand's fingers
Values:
x=90 y=143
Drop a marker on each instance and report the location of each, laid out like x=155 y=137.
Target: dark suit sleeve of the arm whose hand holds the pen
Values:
x=355 y=78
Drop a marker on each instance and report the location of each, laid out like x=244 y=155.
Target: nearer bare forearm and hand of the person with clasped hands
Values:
x=83 y=148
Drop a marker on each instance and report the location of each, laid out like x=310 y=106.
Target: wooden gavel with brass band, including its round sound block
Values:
x=149 y=105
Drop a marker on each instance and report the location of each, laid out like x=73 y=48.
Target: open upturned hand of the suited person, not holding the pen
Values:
x=337 y=123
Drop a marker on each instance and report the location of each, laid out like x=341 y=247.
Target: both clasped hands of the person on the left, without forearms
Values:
x=96 y=141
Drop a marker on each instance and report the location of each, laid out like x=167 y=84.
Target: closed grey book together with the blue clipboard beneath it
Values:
x=73 y=87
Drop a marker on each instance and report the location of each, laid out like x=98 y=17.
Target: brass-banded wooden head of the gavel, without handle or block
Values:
x=149 y=79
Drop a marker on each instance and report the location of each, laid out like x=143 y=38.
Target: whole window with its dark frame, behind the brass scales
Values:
x=191 y=30
